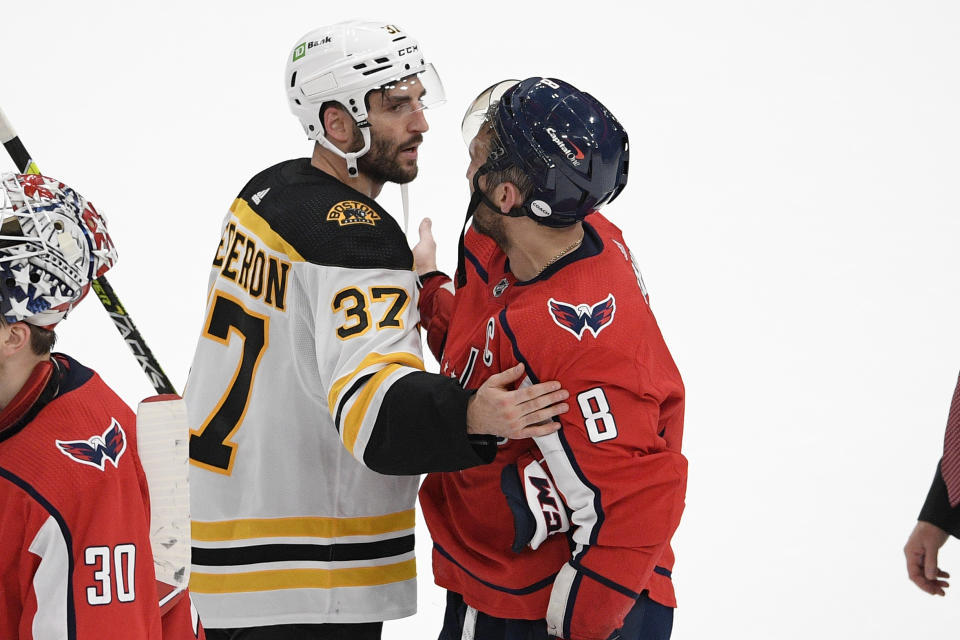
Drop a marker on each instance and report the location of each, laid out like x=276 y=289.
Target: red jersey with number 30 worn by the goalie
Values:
x=75 y=555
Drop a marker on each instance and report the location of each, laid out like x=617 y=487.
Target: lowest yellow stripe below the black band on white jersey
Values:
x=302 y=578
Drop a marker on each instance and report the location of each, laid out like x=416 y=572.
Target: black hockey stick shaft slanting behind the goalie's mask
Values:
x=121 y=319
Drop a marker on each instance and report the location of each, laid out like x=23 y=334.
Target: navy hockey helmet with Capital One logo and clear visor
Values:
x=571 y=147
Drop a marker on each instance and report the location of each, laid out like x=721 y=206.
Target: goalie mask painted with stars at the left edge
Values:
x=53 y=243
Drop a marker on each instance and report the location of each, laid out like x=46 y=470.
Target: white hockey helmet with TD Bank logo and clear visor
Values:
x=343 y=63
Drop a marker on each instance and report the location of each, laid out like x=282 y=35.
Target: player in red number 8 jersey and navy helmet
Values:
x=546 y=281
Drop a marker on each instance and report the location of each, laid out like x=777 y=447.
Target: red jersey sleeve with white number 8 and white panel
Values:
x=618 y=465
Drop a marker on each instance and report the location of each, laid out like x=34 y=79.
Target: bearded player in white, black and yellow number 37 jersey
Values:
x=307 y=386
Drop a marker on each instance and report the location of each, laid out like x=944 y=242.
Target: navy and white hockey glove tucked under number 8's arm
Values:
x=537 y=508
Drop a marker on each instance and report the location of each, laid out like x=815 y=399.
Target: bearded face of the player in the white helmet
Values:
x=397 y=125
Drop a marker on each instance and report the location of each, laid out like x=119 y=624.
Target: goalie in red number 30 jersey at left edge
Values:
x=76 y=560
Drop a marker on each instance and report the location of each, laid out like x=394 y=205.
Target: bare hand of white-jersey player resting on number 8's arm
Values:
x=522 y=413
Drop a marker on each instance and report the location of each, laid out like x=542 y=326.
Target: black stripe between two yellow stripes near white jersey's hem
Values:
x=254 y=554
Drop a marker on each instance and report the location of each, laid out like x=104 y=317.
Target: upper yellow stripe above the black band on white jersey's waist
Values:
x=301 y=527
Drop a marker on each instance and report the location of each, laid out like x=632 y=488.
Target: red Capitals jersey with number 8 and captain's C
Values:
x=584 y=321
